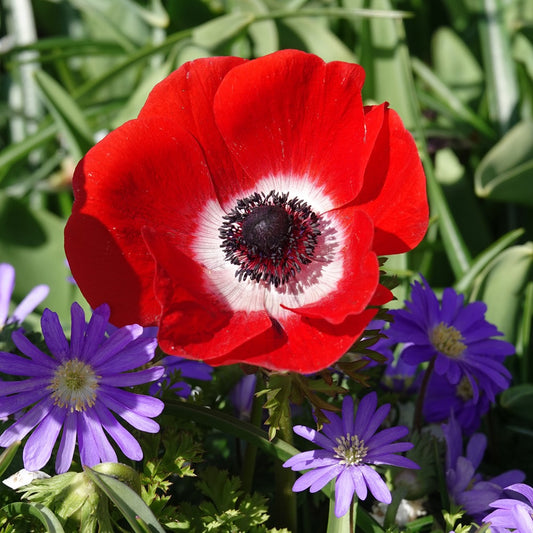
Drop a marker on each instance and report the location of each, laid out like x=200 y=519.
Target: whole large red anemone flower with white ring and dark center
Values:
x=243 y=211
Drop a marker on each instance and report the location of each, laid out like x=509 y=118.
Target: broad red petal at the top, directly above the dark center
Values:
x=289 y=113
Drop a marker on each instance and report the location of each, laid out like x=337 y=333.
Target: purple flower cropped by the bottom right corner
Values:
x=514 y=513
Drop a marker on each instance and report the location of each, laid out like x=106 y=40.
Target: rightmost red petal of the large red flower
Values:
x=394 y=190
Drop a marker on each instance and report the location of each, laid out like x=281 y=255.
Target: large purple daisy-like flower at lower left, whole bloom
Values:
x=77 y=390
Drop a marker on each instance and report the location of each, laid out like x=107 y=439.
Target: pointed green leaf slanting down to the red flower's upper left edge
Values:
x=68 y=115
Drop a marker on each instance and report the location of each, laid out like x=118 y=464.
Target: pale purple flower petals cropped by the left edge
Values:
x=26 y=306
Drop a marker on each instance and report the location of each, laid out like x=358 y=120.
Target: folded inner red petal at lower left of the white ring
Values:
x=195 y=319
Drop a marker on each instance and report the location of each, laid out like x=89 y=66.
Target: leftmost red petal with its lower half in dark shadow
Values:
x=147 y=172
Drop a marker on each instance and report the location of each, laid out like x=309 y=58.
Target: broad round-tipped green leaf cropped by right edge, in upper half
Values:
x=505 y=173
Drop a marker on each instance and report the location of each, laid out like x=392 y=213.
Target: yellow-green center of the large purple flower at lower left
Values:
x=74 y=385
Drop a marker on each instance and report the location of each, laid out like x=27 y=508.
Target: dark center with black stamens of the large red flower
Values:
x=269 y=237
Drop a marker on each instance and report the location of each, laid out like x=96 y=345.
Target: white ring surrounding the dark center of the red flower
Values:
x=316 y=279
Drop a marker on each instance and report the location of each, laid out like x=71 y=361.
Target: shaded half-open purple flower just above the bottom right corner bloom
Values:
x=465 y=485
